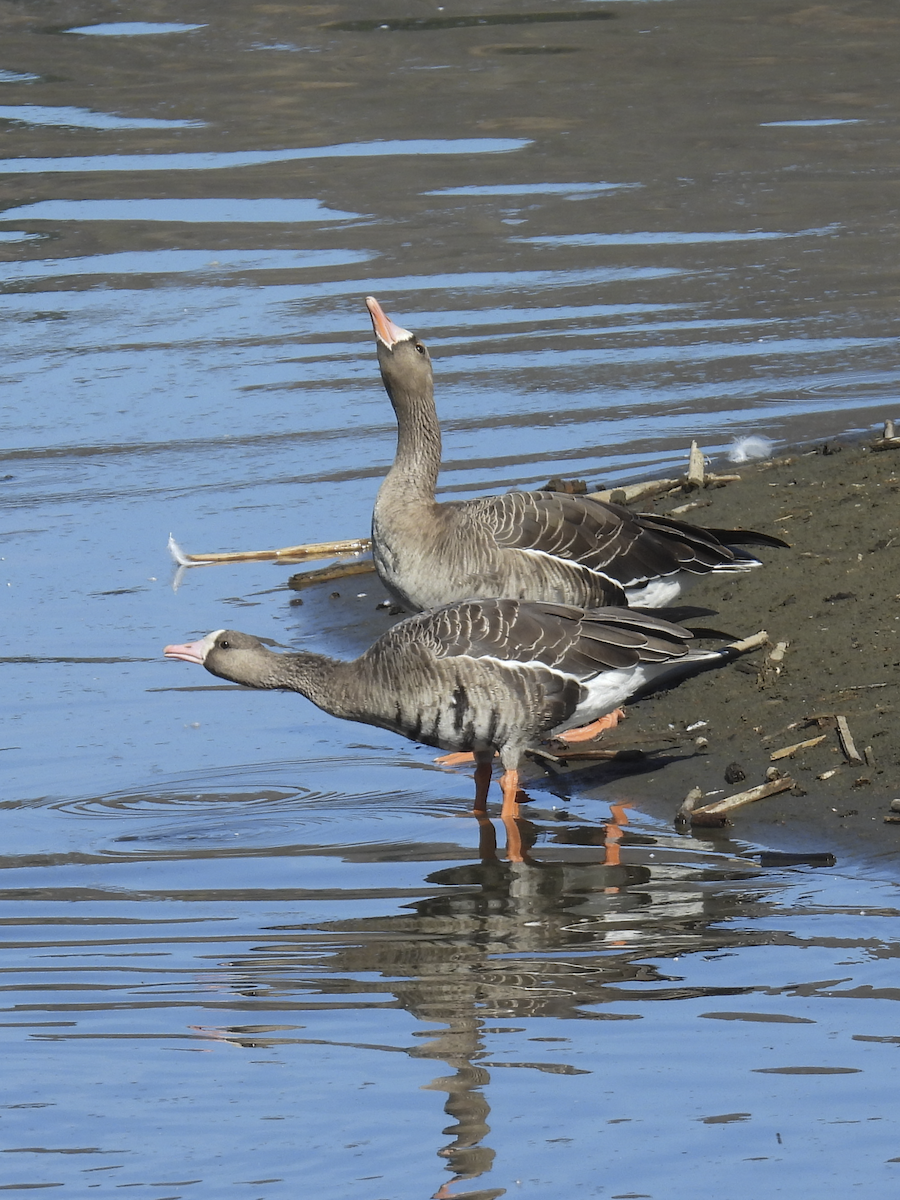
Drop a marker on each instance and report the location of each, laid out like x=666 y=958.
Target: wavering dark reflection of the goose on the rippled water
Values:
x=565 y=933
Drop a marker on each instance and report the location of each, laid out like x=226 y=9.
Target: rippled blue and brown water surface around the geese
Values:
x=245 y=944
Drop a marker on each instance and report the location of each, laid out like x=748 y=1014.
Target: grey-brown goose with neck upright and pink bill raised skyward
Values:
x=543 y=547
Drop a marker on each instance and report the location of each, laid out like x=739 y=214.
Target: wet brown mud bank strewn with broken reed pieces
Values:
x=833 y=599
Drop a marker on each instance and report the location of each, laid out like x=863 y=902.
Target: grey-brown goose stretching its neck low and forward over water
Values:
x=478 y=676
